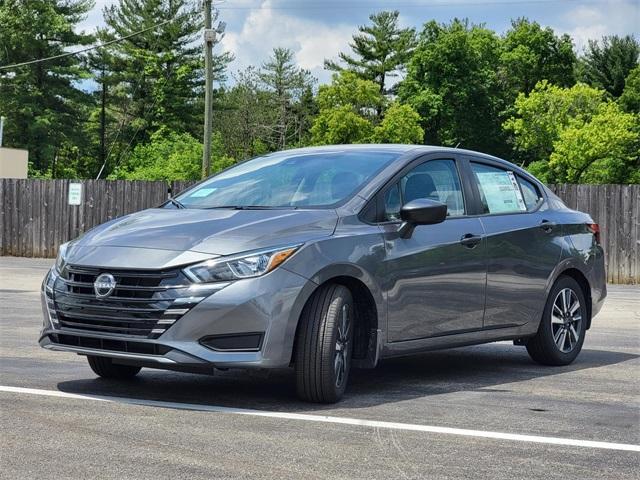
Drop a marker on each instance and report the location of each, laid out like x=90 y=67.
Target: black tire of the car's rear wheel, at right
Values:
x=543 y=347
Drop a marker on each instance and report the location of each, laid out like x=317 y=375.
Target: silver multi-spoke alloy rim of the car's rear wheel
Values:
x=566 y=320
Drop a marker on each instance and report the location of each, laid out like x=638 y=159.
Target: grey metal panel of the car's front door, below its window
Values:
x=434 y=284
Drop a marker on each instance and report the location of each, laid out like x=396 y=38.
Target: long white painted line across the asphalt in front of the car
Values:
x=326 y=419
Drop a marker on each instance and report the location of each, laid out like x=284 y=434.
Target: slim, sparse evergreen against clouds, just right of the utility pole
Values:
x=288 y=84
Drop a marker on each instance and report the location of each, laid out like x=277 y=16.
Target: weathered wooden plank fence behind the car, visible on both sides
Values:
x=35 y=217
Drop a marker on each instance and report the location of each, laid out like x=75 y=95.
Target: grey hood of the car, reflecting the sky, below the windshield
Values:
x=211 y=232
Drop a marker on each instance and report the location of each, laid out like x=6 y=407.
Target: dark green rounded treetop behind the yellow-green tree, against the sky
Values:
x=531 y=53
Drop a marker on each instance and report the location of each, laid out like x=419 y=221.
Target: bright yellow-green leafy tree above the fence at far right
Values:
x=605 y=149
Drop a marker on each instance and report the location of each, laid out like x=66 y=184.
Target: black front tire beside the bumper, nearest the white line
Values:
x=319 y=342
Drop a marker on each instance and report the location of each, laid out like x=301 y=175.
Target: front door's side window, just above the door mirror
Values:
x=435 y=179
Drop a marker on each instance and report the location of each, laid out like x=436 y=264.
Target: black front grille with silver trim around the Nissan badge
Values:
x=143 y=303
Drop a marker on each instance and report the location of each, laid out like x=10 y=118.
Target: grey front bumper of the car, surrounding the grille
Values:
x=268 y=306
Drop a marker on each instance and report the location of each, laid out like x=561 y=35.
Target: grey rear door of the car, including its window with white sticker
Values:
x=522 y=246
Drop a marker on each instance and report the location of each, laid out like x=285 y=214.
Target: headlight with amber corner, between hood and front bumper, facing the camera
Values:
x=247 y=265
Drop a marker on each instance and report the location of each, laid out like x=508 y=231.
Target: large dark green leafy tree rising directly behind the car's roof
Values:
x=452 y=83
